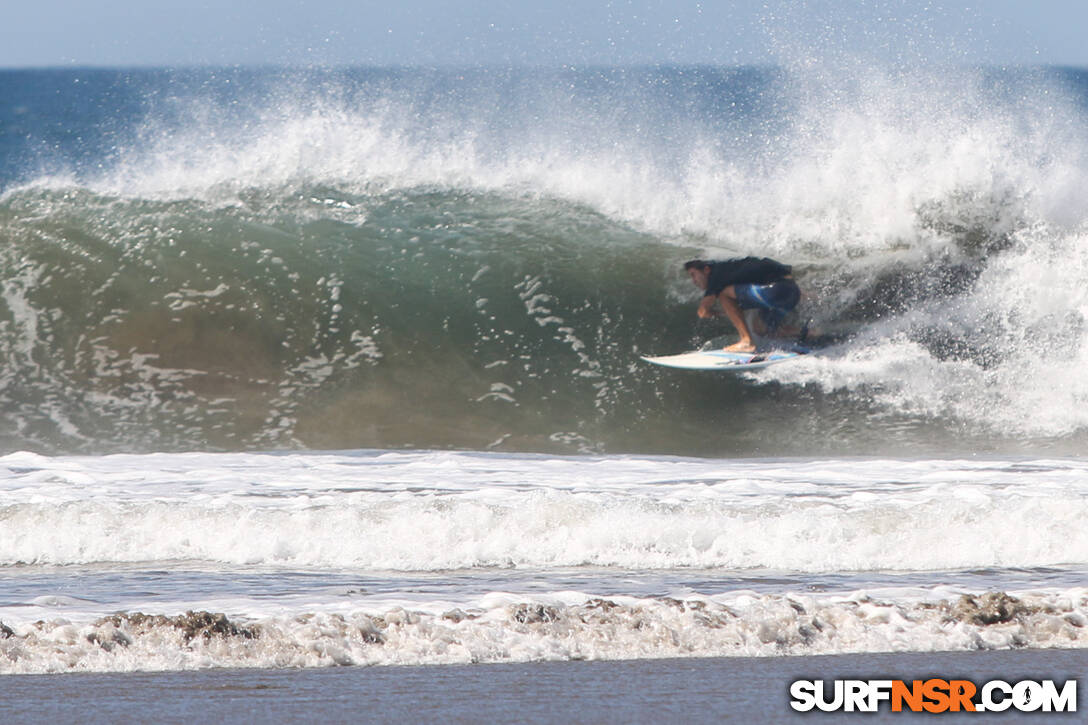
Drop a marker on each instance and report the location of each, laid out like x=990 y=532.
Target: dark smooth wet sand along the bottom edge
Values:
x=712 y=691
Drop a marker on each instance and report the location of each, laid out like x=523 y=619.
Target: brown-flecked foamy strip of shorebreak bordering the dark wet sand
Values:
x=561 y=626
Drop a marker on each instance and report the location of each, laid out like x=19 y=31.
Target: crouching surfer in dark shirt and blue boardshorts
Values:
x=746 y=284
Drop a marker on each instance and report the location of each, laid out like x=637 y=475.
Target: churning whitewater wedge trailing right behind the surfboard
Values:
x=1028 y=314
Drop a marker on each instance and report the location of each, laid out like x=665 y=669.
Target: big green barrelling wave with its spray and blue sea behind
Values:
x=263 y=260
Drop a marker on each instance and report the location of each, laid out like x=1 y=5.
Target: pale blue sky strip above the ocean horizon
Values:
x=176 y=33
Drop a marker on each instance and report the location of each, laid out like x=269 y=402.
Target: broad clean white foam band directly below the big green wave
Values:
x=448 y=511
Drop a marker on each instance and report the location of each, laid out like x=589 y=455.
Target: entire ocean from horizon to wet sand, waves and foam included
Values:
x=313 y=368
